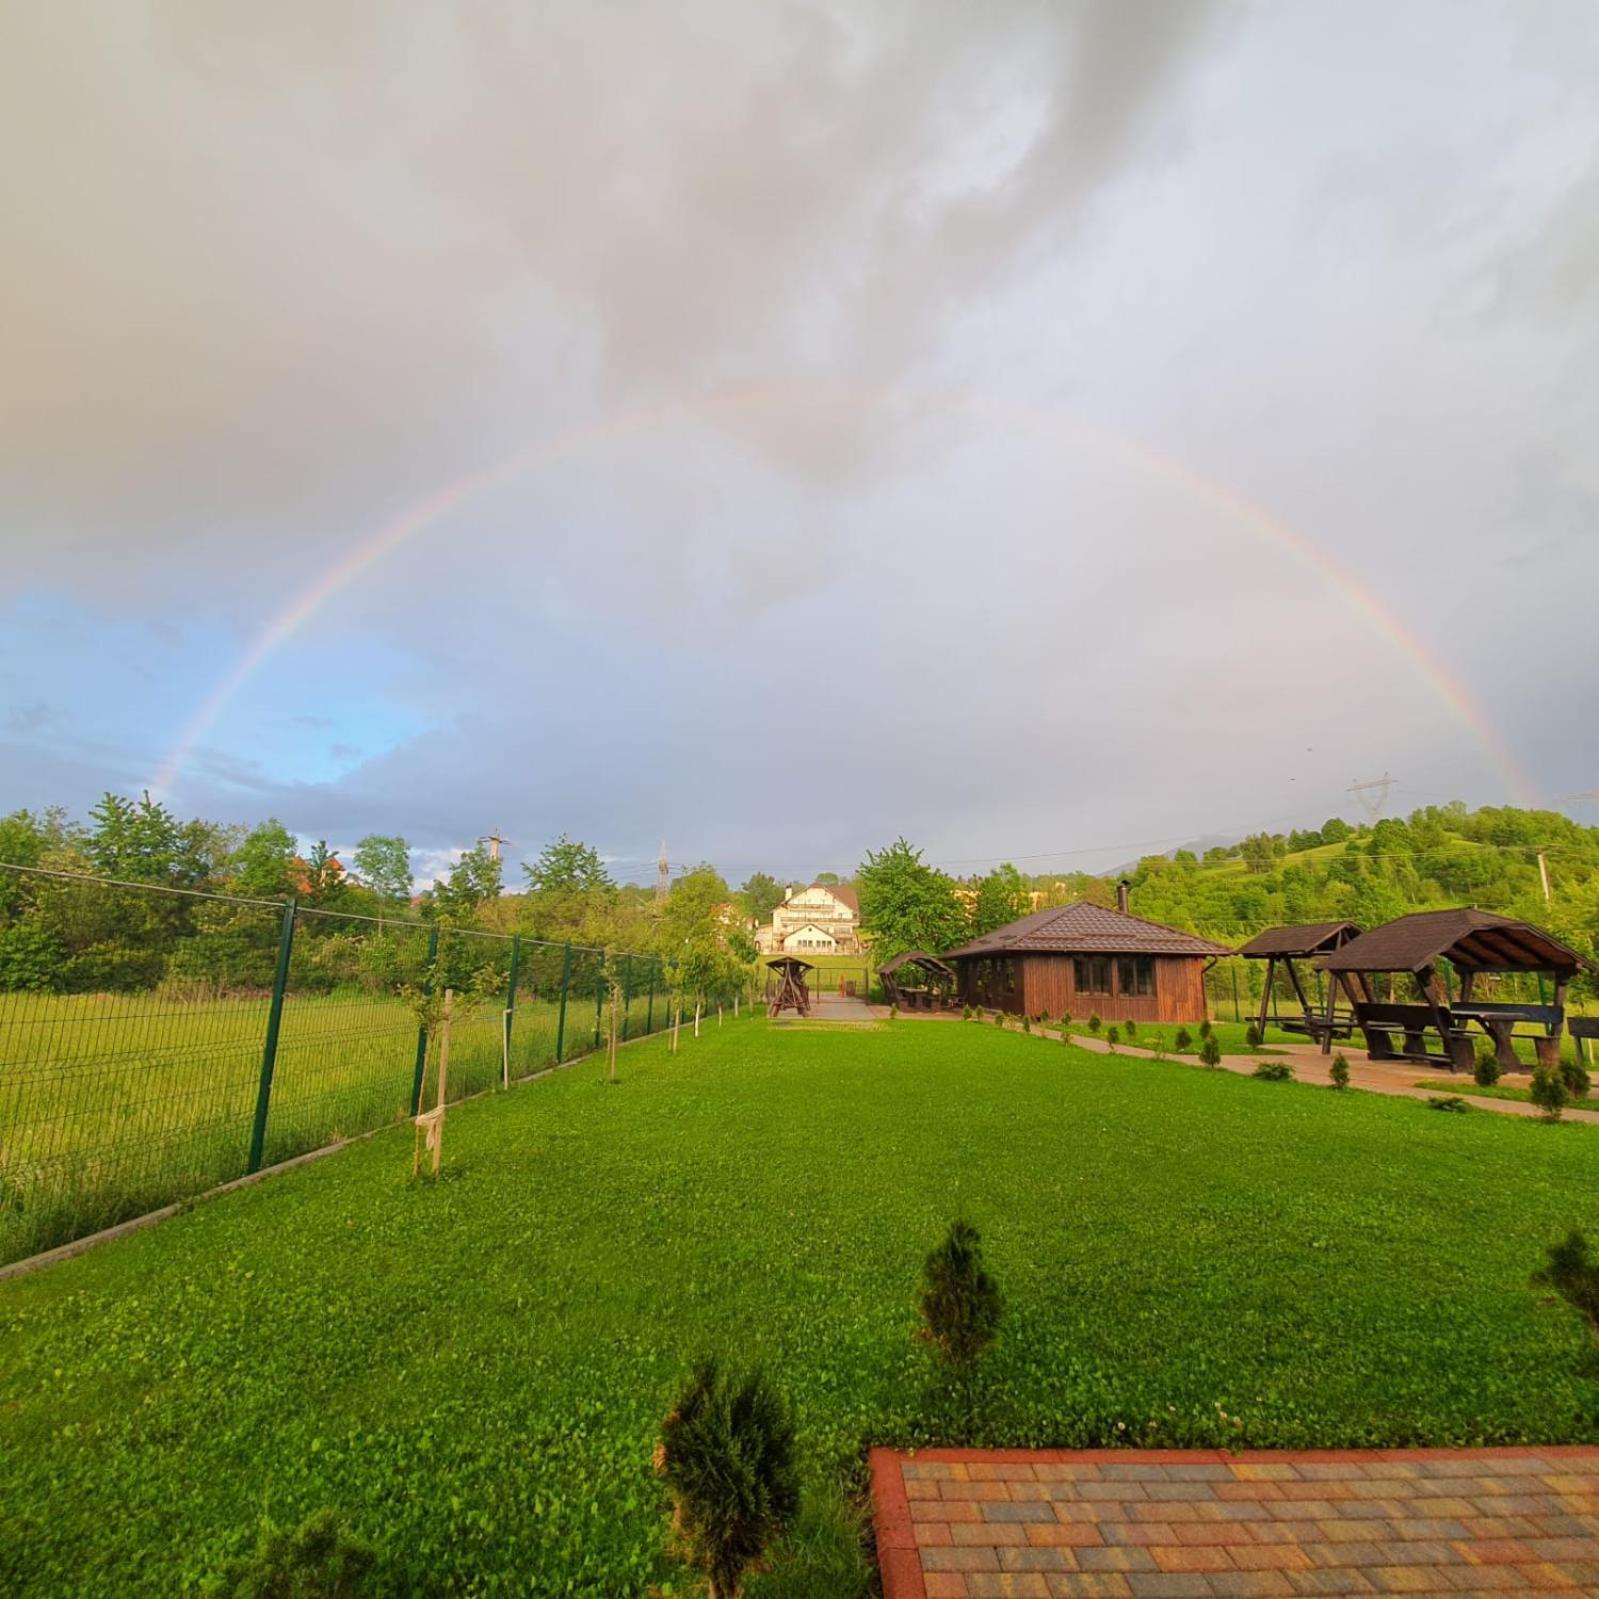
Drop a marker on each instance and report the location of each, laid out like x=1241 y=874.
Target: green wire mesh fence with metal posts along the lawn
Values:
x=156 y=1043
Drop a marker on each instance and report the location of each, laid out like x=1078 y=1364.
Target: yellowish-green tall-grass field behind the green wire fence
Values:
x=116 y=1104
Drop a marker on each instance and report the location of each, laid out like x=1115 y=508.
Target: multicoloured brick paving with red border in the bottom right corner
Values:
x=1203 y=1525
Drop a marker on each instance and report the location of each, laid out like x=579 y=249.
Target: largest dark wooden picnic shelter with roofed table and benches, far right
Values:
x=1475 y=944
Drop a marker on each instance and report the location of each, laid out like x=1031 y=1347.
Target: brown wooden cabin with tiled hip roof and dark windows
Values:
x=1079 y=960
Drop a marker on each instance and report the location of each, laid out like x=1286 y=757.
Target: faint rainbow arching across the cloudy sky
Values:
x=1136 y=455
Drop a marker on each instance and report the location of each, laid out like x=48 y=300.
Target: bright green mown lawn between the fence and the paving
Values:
x=474 y=1370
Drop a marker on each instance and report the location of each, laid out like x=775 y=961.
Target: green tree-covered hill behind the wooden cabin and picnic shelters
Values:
x=1435 y=858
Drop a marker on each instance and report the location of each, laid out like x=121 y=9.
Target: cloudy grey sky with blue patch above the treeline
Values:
x=1045 y=433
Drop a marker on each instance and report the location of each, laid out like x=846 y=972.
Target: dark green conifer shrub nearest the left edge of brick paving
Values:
x=727 y=1454
